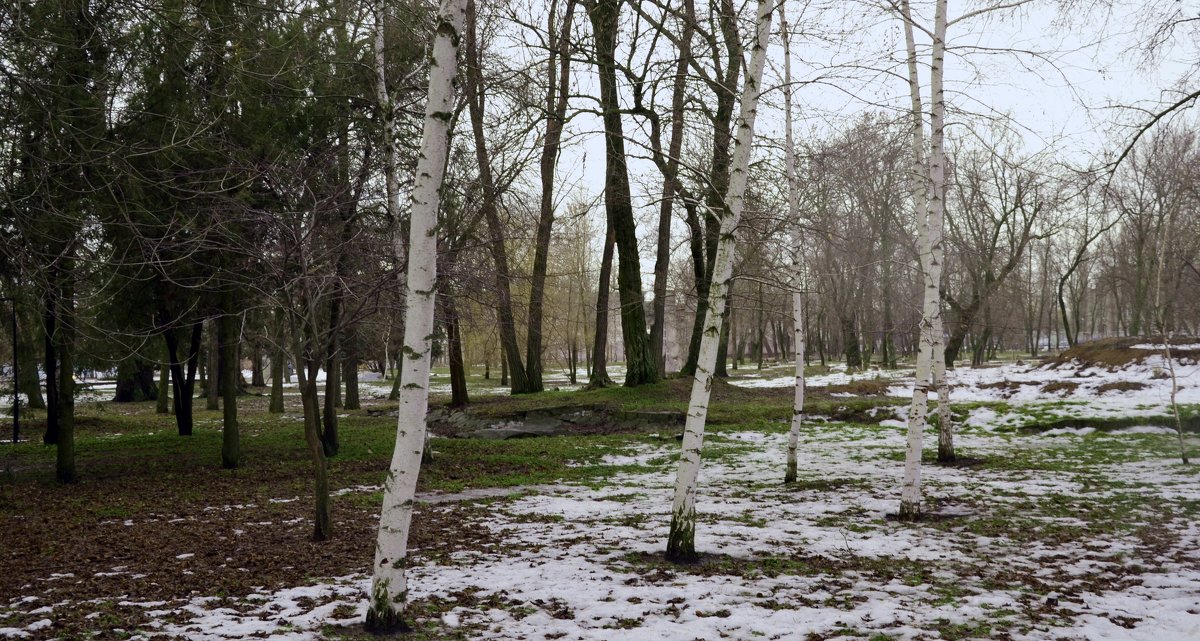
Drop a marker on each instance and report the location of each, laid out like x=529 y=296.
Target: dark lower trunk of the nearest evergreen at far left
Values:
x=64 y=344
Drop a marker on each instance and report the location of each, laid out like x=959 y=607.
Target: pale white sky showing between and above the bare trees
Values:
x=1057 y=85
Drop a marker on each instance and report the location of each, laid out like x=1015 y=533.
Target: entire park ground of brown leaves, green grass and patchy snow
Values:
x=1067 y=518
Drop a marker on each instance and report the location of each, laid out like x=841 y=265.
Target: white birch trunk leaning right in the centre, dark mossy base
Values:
x=682 y=538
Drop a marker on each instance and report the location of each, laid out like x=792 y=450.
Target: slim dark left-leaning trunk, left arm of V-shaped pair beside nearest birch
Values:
x=475 y=93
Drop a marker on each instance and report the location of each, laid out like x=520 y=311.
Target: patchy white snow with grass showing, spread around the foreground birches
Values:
x=1009 y=550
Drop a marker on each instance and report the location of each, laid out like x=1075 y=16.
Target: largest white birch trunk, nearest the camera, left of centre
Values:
x=389 y=590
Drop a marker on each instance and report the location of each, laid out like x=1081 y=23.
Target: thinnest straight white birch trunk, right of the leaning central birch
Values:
x=794 y=215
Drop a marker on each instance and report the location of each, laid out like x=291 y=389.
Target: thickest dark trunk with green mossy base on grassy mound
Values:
x=640 y=363
